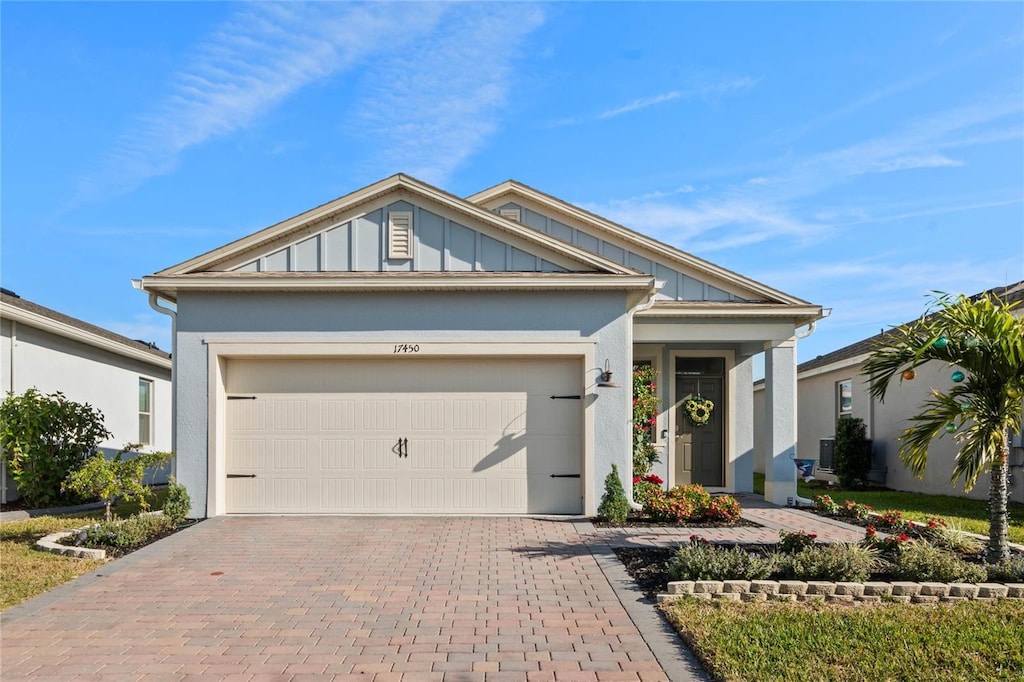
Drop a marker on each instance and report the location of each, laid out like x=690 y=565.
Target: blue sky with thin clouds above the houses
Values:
x=855 y=155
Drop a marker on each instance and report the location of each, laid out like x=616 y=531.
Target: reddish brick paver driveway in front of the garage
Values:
x=291 y=599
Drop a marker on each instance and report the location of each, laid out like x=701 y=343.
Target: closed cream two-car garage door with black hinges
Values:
x=402 y=437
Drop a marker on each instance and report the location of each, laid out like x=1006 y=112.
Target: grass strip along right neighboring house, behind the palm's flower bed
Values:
x=964 y=514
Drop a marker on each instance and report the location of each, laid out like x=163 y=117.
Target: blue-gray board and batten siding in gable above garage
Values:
x=439 y=245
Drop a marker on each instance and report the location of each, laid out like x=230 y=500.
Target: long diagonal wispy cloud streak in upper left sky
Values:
x=258 y=59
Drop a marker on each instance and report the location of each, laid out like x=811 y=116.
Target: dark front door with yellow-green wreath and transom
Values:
x=700 y=452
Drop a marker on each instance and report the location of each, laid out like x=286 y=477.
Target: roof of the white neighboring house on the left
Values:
x=25 y=312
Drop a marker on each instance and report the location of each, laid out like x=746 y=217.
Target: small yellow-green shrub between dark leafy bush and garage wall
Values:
x=118 y=478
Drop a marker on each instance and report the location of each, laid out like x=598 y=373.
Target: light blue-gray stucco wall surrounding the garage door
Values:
x=413 y=317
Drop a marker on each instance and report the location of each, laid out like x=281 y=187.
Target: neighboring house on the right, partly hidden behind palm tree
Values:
x=832 y=387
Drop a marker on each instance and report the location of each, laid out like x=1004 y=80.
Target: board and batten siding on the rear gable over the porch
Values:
x=678 y=287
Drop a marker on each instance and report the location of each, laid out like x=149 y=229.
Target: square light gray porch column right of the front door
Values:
x=781 y=422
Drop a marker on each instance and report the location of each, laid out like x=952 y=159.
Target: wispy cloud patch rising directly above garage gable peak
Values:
x=437 y=102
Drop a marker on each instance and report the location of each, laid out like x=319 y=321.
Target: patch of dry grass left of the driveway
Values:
x=28 y=572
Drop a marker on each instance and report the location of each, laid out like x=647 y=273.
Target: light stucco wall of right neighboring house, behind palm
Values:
x=886 y=422
